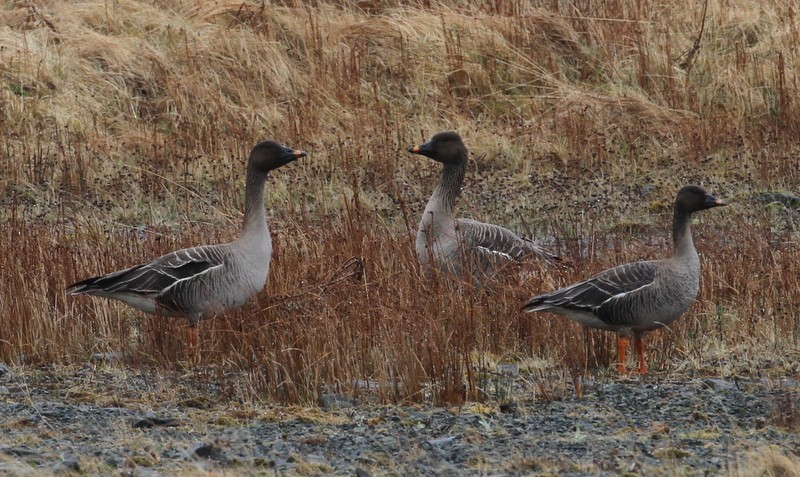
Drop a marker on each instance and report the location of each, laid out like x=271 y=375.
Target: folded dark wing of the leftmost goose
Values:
x=156 y=278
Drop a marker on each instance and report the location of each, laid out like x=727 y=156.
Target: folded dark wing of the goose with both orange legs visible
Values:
x=601 y=293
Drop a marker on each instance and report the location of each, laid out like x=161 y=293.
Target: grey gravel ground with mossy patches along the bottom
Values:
x=105 y=421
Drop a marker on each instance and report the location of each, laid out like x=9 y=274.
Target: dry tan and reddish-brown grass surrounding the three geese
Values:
x=124 y=127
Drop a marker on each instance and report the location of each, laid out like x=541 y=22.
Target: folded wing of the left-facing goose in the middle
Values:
x=497 y=243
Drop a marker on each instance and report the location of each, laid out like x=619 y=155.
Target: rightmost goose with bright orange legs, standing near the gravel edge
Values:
x=638 y=297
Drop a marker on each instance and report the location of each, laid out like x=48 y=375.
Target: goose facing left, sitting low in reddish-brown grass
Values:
x=464 y=248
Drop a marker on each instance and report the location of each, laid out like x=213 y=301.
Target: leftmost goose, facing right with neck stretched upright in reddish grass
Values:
x=199 y=282
